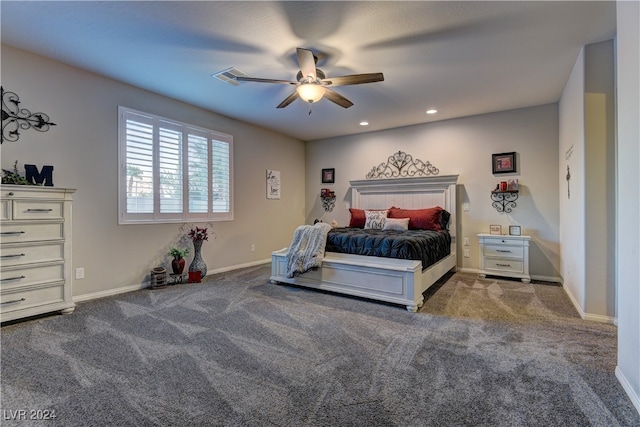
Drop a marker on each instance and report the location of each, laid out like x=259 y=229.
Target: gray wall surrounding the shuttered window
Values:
x=83 y=148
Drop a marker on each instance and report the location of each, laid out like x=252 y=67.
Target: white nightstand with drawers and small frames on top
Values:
x=504 y=256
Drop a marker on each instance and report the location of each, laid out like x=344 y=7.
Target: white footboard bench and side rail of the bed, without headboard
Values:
x=386 y=279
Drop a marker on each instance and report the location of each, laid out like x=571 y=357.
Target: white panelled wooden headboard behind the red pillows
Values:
x=408 y=193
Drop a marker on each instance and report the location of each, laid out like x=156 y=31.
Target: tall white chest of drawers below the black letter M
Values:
x=35 y=251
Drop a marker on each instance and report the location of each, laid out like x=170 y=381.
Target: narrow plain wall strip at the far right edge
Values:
x=628 y=198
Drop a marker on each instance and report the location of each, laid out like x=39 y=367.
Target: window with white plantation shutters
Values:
x=171 y=171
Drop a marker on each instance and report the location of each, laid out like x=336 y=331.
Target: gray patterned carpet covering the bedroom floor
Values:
x=239 y=351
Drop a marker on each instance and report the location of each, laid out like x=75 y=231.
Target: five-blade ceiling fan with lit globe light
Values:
x=313 y=84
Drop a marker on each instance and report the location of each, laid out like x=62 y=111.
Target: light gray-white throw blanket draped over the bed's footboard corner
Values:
x=307 y=248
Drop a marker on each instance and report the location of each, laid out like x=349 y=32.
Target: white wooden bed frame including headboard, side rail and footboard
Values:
x=386 y=279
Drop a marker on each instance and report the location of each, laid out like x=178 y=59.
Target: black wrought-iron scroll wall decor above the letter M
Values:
x=15 y=118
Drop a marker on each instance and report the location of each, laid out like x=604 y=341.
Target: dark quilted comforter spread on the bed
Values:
x=422 y=245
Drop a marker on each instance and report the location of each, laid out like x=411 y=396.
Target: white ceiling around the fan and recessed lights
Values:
x=463 y=58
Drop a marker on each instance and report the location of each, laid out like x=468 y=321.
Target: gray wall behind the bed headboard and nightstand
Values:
x=462 y=146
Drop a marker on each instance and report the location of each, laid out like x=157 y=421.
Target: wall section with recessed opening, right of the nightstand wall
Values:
x=587 y=218
